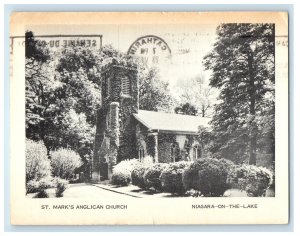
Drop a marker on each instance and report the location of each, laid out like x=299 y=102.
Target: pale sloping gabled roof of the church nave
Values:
x=168 y=122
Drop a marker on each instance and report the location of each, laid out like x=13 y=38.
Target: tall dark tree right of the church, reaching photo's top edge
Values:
x=242 y=66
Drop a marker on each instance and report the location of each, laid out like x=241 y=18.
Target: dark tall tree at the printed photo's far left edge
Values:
x=40 y=85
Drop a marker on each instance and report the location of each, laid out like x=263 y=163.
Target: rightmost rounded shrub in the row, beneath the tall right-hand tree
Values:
x=252 y=179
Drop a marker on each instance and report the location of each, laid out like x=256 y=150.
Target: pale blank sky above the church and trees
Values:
x=188 y=45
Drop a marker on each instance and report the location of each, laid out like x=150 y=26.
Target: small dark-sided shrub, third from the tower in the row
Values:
x=151 y=176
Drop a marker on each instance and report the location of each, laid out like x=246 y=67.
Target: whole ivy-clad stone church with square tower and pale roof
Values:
x=123 y=131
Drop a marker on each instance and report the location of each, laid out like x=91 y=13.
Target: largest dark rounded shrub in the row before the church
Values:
x=208 y=175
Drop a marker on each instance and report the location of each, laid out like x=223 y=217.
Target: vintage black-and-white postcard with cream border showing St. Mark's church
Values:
x=149 y=118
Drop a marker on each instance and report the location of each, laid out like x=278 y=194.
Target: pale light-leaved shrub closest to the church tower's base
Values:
x=122 y=172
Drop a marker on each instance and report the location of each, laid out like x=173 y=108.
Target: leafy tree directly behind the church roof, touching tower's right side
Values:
x=154 y=94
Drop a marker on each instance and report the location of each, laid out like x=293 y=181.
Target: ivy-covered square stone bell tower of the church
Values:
x=115 y=133
